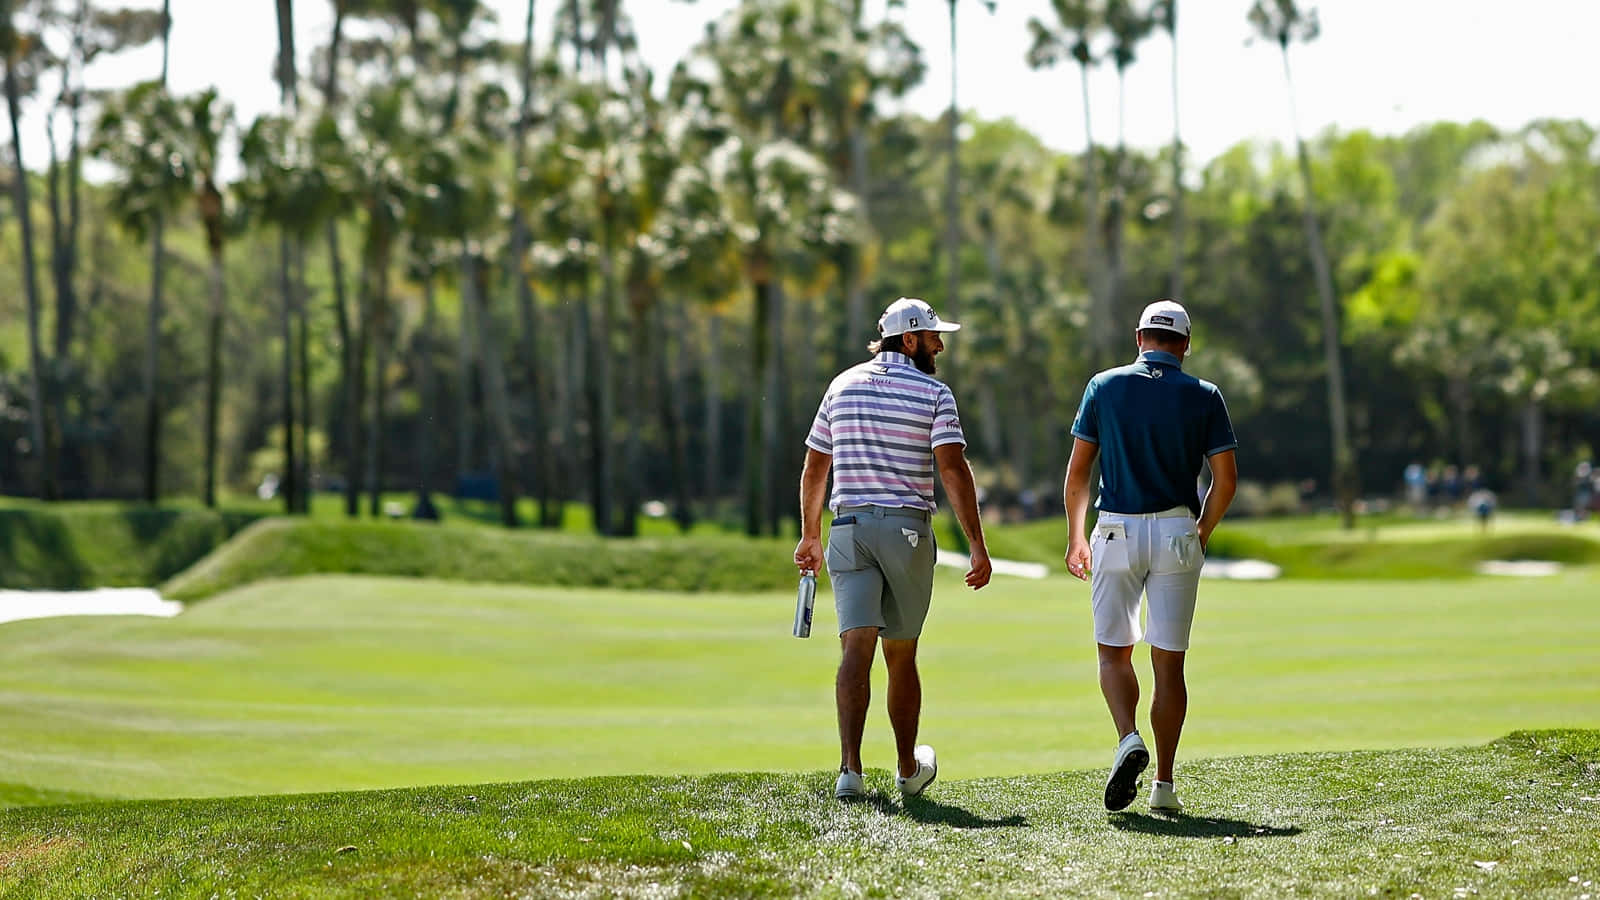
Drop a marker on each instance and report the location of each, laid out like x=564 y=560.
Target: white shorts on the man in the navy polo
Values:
x=1156 y=555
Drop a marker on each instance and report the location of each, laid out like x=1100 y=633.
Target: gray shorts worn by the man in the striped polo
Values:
x=881 y=563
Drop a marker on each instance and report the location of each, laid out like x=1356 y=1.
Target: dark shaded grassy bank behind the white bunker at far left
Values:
x=105 y=545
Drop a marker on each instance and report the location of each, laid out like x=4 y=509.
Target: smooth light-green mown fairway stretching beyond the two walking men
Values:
x=361 y=683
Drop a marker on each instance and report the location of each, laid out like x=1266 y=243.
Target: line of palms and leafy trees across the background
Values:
x=452 y=263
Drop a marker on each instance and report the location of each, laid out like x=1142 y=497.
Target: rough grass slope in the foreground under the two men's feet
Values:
x=1518 y=818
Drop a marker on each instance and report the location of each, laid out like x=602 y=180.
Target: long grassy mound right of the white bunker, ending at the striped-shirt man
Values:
x=281 y=548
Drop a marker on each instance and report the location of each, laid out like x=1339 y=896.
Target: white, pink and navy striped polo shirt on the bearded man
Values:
x=881 y=422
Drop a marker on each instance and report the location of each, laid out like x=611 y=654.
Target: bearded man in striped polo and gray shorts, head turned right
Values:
x=881 y=428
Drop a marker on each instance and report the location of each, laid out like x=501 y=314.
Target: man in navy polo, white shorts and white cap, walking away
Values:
x=1153 y=427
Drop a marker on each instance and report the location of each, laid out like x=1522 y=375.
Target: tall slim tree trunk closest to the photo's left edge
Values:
x=15 y=47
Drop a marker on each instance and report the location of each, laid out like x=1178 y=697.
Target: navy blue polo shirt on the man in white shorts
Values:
x=1154 y=425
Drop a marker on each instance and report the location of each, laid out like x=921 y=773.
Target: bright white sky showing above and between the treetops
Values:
x=1382 y=65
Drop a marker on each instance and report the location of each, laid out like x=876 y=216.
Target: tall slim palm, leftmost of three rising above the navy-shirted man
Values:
x=1078 y=26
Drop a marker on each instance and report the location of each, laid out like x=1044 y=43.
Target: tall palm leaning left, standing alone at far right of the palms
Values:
x=1282 y=22
